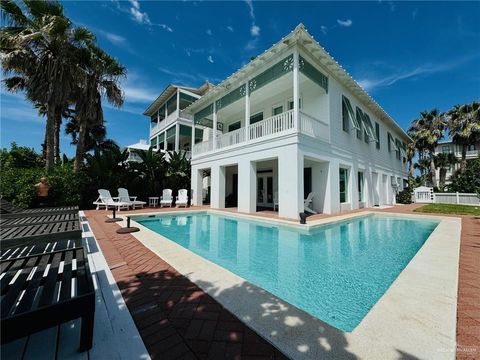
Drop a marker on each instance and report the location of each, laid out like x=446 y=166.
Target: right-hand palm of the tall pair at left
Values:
x=100 y=79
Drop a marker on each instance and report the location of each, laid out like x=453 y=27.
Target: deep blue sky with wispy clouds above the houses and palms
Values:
x=409 y=56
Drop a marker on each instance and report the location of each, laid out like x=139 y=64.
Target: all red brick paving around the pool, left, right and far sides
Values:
x=176 y=319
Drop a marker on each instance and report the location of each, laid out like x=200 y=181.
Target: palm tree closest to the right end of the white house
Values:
x=428 y=130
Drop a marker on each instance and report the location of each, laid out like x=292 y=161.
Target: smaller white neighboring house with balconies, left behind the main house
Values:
x=170 y=128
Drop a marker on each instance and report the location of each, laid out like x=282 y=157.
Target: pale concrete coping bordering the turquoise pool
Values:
x=415 y=317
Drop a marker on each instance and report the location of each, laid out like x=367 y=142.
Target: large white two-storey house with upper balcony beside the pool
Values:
x=290 y=122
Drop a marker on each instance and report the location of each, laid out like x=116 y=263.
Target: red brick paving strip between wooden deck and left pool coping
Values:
x=175 y=318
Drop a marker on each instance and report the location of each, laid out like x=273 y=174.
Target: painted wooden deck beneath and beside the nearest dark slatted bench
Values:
x=115 y=334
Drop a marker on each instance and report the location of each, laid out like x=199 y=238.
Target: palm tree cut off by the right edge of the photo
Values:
x=464 y=128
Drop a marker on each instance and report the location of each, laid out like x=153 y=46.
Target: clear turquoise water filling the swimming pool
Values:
x=335 y=272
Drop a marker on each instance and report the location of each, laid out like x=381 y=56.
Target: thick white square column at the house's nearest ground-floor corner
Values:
x=290 y=182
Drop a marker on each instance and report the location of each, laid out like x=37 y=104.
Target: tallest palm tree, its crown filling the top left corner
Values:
x=39 y=49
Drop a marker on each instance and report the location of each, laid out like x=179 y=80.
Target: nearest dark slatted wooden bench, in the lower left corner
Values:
x=32 y=300
